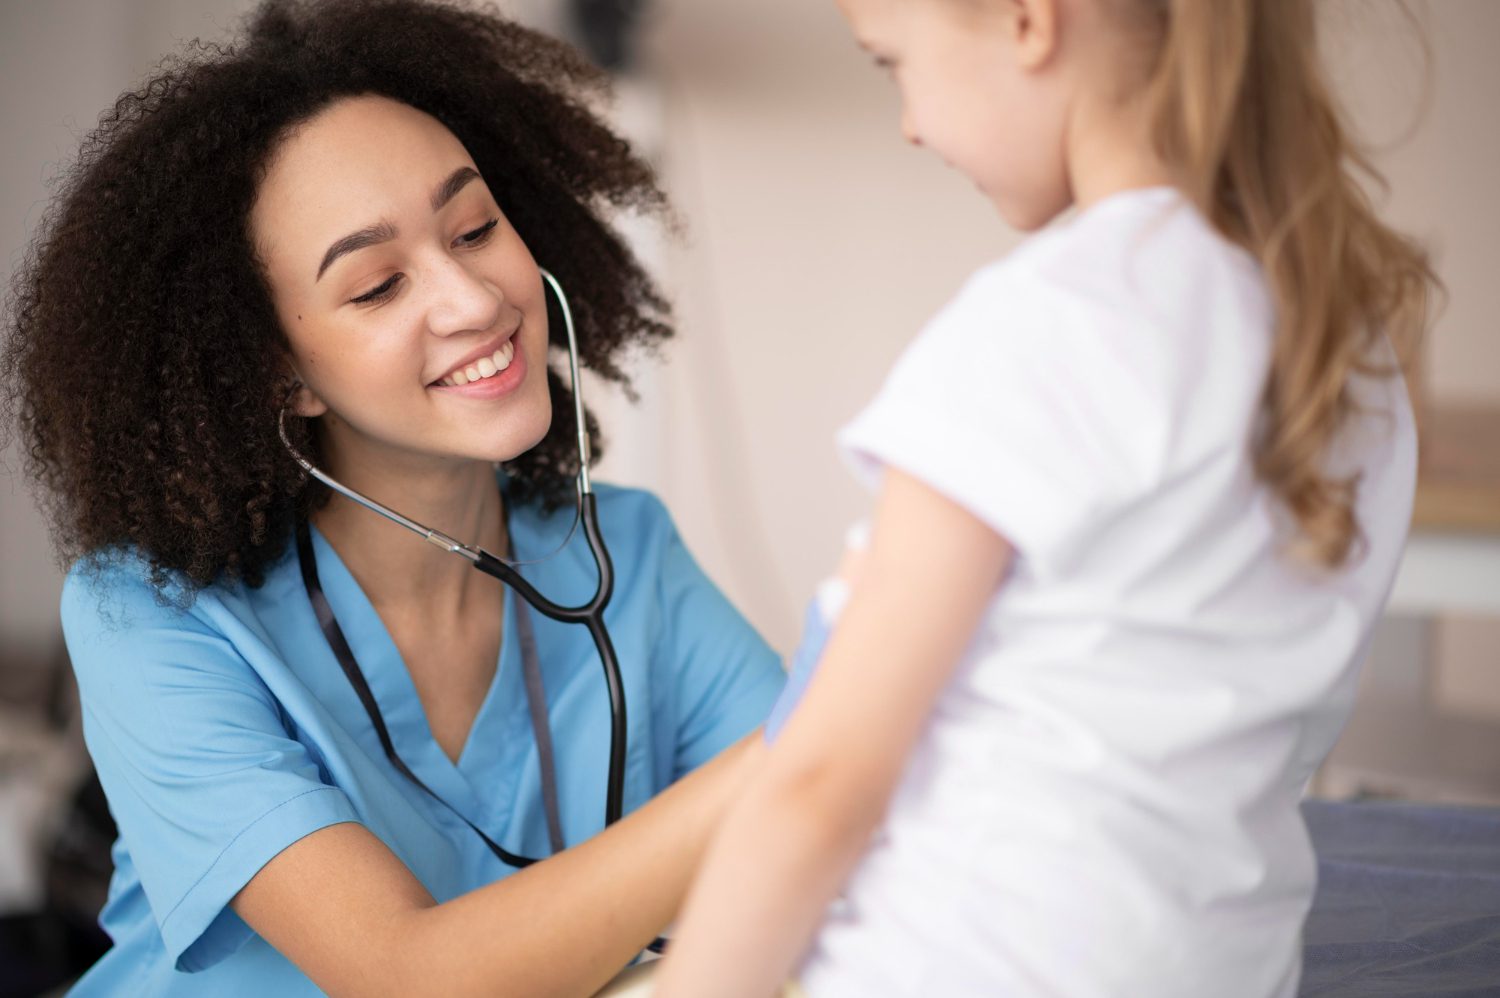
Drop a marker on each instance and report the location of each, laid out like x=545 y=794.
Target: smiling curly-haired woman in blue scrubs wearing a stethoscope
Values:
x=343 y=217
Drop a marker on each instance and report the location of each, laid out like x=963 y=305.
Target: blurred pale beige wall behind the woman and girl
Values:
x=817 y=245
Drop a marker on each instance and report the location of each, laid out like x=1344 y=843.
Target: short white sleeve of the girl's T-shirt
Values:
x=1021 y=406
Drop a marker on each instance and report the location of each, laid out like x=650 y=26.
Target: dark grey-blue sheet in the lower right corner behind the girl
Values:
x=1408 y=901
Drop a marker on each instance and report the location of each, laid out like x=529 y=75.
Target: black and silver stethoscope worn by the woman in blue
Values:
x=590 y=613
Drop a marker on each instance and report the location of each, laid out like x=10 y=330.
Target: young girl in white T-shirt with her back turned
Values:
x=1142 y=490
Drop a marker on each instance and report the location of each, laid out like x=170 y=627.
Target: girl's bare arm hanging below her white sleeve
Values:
x=788 y=846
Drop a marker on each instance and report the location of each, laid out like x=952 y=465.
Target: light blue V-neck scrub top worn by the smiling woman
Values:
x=227 y=732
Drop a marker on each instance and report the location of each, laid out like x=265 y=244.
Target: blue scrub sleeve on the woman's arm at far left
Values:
x=203 y=778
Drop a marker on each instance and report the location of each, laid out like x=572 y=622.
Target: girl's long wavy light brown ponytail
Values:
x=1240 y=106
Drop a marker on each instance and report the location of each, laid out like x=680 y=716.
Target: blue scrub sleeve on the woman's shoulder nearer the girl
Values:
x=725 y=676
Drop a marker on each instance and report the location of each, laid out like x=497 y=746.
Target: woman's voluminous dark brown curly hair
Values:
x=146 y=365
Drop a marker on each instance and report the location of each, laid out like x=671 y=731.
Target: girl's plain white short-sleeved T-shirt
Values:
x=1105 y=802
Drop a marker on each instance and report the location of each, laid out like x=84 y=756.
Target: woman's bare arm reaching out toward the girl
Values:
x=350 y=915
